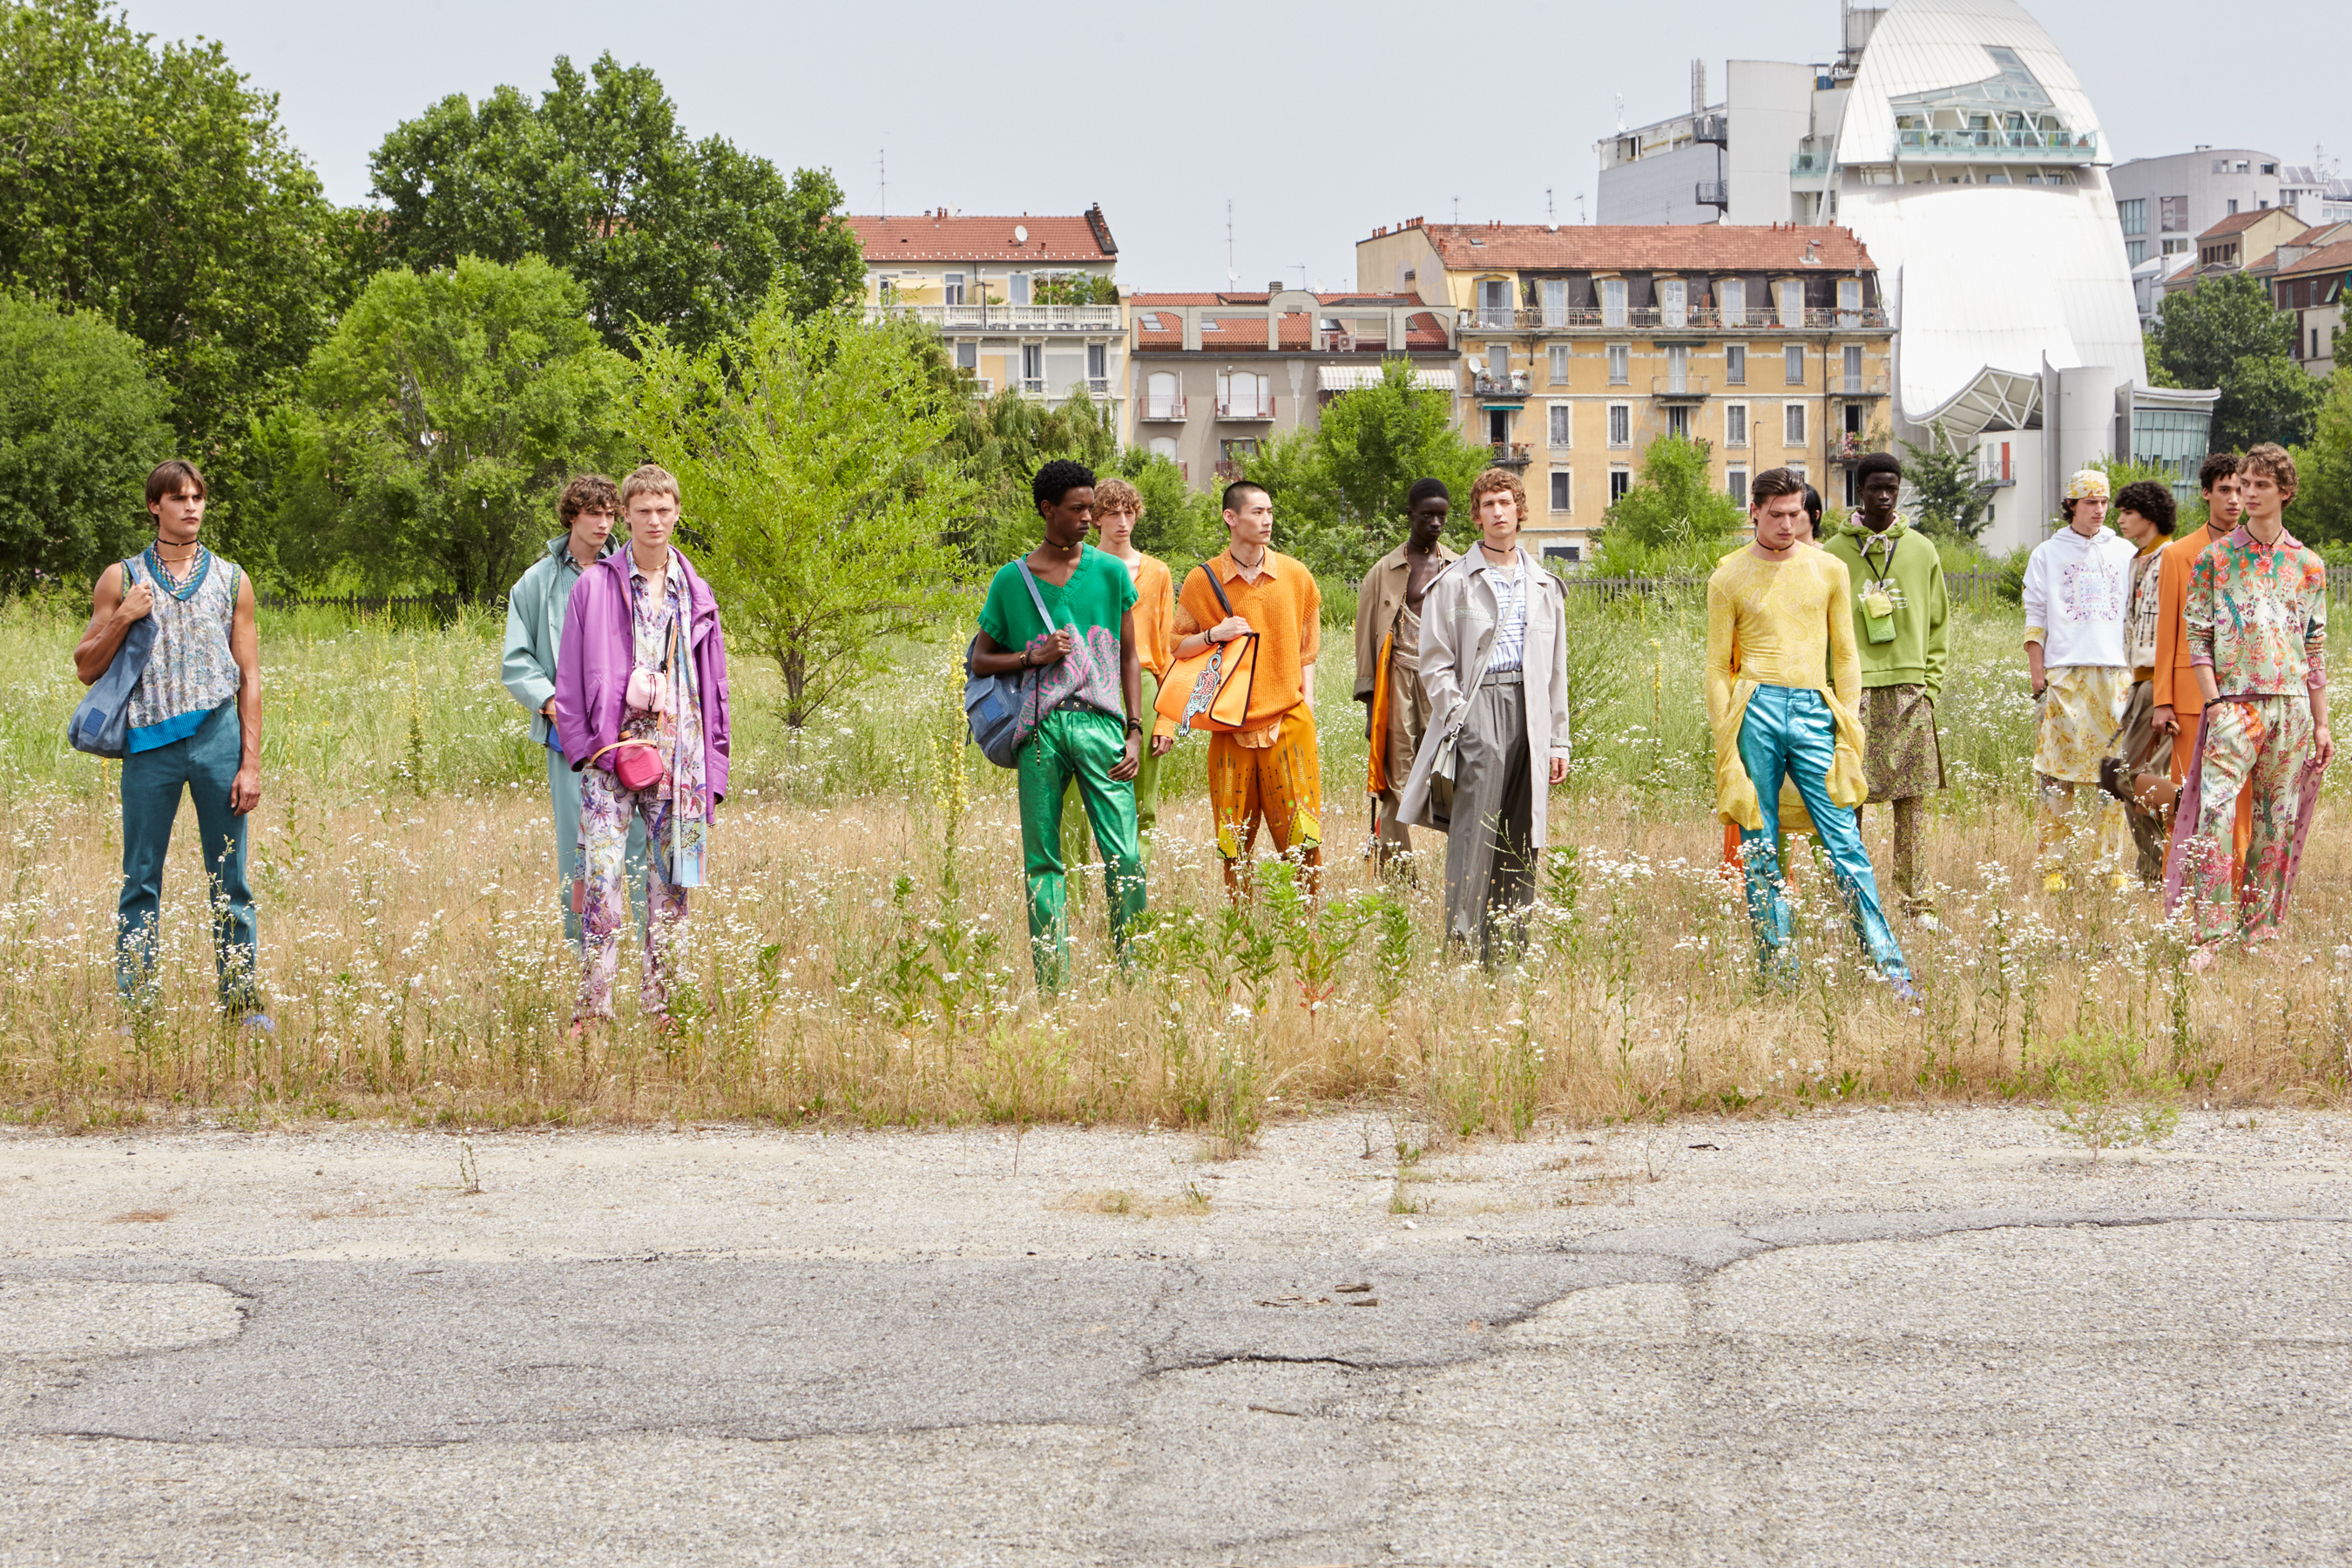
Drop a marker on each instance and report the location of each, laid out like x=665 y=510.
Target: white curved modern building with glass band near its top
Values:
x=1958 y=145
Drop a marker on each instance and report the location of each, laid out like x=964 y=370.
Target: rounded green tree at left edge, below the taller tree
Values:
x=81 y=427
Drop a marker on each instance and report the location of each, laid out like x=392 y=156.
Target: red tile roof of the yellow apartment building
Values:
x=1648 y=248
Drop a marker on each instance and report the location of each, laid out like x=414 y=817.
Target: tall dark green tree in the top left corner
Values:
x=152 y=187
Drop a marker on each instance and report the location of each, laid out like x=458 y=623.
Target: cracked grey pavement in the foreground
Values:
x=1852 y=1339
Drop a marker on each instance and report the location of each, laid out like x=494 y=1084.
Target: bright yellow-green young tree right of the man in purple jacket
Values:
x=803 y=453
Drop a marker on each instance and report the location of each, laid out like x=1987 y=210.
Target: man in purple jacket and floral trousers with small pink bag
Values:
x=641 y=709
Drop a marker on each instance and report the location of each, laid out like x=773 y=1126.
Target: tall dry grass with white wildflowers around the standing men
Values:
x=862 y=956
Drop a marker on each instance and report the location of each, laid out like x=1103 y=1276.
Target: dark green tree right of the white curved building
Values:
x=2226 y=335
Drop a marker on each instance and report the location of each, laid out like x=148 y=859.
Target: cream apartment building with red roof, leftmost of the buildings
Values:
x=1022 y=302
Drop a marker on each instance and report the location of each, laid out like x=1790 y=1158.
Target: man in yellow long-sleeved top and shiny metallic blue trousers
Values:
x=1791 y=713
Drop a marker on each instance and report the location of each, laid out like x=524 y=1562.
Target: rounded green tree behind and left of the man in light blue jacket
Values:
x=439 y=424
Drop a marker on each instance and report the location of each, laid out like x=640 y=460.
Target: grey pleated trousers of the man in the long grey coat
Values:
x=1490 y=859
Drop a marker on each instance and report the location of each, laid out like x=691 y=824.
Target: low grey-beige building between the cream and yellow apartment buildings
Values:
x=1212 y=377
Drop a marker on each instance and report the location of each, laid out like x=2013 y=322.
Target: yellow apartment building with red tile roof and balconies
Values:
x=1584 y=344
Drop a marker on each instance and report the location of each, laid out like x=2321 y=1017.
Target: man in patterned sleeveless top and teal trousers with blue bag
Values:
x=194 y=725
